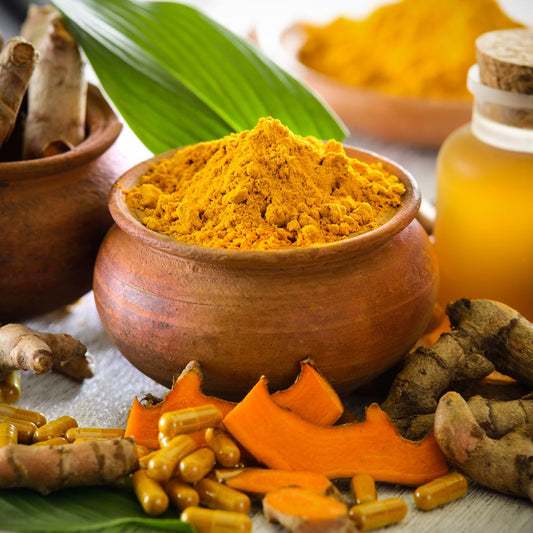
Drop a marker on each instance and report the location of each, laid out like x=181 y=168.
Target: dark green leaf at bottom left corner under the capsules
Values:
x=87 y=509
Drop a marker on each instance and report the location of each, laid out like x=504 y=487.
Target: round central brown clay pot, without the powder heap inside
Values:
x=355 y=306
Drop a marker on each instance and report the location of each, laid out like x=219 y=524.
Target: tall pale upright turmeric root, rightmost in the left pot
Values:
x=58 y=77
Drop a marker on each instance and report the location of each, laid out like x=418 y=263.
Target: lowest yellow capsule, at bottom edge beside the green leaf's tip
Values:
x=209 y=521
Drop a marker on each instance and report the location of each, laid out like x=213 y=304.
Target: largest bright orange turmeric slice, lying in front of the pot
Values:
x=280 y=439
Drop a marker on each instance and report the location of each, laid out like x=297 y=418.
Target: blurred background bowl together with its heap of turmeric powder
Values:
x=400 y=72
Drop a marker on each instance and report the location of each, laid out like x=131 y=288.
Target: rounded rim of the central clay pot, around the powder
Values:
x=323 y=253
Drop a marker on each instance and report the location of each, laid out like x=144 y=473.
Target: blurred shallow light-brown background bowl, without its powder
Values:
x=417 y=121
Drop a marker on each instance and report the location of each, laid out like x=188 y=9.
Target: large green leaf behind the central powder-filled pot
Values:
x=177 y=77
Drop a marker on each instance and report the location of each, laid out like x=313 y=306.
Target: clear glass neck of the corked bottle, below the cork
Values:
x=501 y=118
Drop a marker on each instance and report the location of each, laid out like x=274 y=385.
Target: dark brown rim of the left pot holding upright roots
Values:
x=103 y=128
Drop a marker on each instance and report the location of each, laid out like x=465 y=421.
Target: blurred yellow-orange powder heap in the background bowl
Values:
x=419 y=48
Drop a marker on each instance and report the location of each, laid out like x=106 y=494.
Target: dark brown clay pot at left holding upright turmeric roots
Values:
x=53 y=217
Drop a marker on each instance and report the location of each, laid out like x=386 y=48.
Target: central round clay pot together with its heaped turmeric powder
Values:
x=255 y=251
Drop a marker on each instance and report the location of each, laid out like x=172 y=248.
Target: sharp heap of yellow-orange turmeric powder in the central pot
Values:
x=265 y=188
